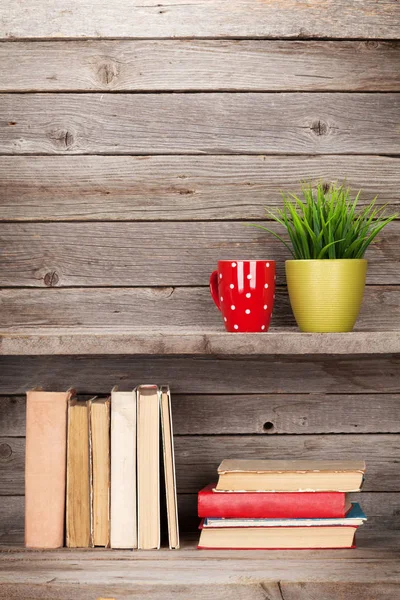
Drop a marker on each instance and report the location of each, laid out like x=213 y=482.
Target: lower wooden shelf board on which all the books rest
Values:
x=372 y=571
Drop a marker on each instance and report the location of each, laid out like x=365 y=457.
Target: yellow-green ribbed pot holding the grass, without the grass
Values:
x=326 y=295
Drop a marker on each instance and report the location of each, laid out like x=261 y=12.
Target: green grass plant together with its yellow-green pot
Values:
x=329 y=234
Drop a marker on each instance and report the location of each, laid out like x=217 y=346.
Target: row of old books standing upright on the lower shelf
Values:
x=92 y=472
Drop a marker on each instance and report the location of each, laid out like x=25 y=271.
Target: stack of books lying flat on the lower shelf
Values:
x=273 y=504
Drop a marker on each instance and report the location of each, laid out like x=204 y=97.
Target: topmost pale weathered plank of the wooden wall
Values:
x=204 y=18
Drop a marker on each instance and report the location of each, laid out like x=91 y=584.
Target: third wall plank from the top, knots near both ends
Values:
x=315 y=123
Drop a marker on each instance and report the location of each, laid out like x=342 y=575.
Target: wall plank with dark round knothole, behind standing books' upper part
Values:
x=199 y=414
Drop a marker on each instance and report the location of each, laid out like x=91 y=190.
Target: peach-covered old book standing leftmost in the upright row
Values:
x=45 y=466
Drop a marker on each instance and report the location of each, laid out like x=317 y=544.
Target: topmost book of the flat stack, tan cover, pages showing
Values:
x=290 y=475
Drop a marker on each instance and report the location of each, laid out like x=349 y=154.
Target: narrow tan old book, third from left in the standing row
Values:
x=99 y=410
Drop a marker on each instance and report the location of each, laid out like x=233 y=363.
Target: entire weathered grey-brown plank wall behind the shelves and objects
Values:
x=135 y=142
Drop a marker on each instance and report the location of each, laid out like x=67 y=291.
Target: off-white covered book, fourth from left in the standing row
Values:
x=123 y=470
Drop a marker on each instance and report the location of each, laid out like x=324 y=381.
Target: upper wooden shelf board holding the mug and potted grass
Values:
x=195 y=342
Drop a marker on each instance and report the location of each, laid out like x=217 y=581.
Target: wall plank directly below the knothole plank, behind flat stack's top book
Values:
x=197 y=457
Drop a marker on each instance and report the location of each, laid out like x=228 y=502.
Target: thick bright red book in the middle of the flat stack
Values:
x=270 y=505
